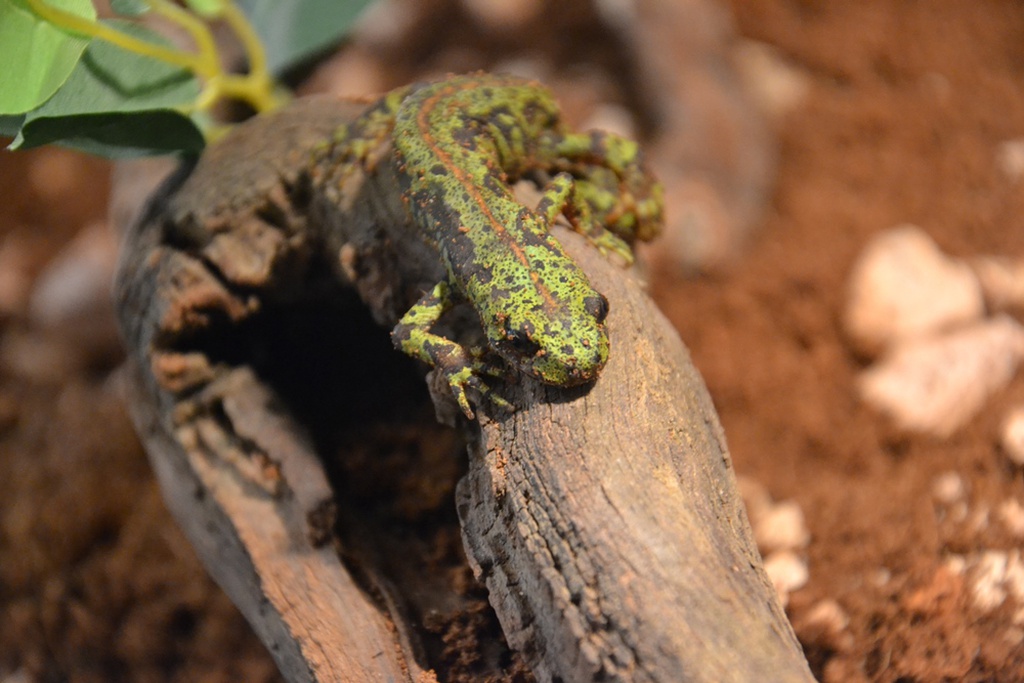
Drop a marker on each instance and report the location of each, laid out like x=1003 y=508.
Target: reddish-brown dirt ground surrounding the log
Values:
x=907 y=107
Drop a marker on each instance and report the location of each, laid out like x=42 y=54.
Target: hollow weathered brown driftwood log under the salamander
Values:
x=605 y=521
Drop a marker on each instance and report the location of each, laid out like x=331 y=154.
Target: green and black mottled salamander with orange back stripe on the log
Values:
x=460 y=144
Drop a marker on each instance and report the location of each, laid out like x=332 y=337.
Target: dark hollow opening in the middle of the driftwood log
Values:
x=393 y=467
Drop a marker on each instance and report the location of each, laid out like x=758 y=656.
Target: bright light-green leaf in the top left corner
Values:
x=46 y=55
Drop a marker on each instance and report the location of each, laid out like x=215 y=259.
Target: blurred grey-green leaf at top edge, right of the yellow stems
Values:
x=297 y=30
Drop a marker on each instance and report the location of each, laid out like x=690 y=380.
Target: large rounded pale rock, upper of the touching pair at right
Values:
x=904 y=287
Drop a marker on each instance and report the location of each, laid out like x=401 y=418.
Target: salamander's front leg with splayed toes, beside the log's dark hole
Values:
x=461 y=367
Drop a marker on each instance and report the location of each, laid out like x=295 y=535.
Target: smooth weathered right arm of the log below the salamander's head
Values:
x=608 y=526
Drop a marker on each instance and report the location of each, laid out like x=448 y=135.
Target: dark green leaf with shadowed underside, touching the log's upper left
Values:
x=118 y=104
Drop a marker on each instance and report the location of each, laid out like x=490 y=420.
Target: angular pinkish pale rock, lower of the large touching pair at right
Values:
x=935 y=386
